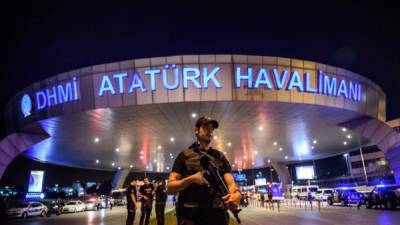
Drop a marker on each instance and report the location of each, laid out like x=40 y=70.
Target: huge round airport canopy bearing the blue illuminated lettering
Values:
x=137 y=115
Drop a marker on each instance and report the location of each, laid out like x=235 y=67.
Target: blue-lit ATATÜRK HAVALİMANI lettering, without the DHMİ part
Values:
x=203 y=77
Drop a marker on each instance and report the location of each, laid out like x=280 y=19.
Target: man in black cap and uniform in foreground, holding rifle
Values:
x=197 y=203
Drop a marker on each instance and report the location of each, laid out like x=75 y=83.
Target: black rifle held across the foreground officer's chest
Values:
x=215 y=180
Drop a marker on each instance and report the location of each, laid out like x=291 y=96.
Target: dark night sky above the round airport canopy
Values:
x=40 y=41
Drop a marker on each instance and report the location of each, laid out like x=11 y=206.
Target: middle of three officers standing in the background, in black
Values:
x=146 y=192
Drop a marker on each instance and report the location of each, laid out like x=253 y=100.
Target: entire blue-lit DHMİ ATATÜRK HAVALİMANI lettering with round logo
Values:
x=171 y=77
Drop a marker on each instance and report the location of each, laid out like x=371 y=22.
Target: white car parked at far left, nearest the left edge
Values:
x=26 y=209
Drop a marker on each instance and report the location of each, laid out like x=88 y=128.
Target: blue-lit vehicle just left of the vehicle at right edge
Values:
x=345 y=196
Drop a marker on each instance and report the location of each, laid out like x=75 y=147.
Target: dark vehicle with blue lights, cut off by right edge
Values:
x=384 y=195
